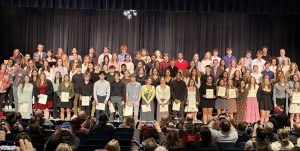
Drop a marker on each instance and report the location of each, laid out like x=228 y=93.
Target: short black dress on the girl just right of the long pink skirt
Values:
x=264 y=99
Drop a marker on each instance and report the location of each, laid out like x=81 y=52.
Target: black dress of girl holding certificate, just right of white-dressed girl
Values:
x=204 y=102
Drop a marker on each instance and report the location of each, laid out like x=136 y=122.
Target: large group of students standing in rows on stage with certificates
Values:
x=149 y=87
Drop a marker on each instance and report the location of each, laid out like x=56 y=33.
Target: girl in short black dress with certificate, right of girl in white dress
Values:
x=208 y=97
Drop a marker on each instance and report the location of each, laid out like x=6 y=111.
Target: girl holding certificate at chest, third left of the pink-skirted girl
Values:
x=221 y=104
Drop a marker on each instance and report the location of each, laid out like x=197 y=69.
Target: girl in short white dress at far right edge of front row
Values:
x=295 y=103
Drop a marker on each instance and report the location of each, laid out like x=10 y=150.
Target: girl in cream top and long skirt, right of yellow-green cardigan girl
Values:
x=163 y=96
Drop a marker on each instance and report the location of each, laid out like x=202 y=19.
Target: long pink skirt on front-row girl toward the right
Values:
x=252 y=112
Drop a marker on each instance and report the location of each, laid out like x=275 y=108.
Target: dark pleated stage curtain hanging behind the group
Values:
x=170 y=31
